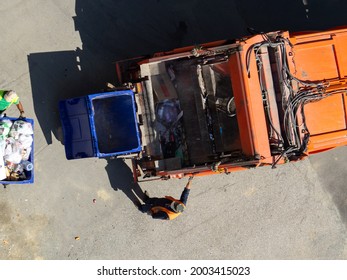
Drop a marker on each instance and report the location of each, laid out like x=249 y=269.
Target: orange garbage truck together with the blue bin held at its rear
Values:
x=220 y=107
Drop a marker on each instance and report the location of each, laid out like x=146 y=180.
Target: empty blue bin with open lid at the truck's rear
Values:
x=100 y=125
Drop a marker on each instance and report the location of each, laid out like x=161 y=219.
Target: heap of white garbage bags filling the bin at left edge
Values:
x=16 y=138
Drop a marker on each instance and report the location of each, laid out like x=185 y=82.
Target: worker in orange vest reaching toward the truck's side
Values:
x=166 y=208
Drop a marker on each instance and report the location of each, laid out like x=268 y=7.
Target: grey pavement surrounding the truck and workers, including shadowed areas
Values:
x=51 y=50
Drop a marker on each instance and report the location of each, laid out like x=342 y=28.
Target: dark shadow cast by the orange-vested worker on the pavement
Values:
x=121 y=178
